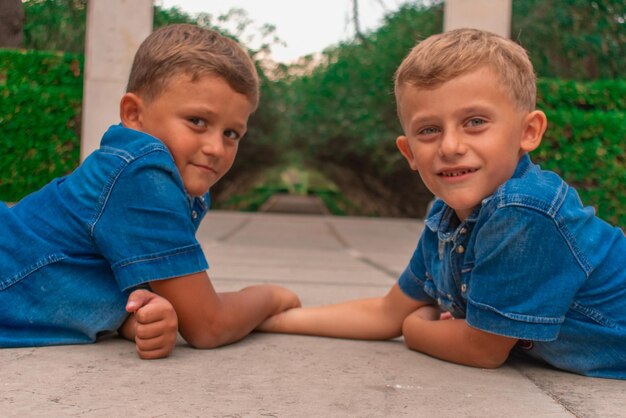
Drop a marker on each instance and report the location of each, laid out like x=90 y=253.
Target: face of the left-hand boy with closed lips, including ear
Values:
x=200 y=122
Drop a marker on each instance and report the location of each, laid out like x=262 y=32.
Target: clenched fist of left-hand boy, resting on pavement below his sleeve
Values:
x=153 y=325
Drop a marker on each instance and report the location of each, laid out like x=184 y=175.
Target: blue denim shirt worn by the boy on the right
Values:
x=534 y=264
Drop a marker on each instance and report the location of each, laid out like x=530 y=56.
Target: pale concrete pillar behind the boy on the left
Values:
x=115 y=28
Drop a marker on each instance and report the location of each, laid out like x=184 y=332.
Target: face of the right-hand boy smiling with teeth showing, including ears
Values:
x=465 y=137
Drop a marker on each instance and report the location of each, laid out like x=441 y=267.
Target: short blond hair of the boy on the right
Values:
x=440 y=58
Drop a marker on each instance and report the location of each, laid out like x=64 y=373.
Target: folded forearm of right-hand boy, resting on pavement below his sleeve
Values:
x=454 y=340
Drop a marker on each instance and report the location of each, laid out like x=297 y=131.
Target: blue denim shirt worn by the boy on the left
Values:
x=71 y=252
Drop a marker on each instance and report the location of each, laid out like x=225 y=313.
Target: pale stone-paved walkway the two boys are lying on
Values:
x=325 y=259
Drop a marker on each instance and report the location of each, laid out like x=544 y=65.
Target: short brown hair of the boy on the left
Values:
x=187 y=49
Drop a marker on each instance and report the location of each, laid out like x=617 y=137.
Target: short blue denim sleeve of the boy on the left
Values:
x=145 y=230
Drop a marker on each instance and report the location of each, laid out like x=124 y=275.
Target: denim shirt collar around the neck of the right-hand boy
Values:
x=443 y=219
